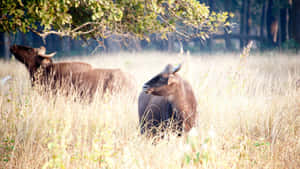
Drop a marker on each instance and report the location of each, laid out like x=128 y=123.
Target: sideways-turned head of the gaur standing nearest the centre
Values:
x=165 y=83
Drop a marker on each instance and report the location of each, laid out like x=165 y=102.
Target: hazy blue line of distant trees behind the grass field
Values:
x=271 y=24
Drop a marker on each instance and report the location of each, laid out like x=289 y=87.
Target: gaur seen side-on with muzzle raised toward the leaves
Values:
x=65 y=75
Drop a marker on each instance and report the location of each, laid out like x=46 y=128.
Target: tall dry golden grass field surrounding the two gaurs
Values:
x=248 y=117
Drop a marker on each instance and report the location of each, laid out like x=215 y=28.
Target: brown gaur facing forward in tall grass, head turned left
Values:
x=167 y=101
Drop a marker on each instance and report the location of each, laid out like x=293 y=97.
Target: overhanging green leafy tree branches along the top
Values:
x=103 y=18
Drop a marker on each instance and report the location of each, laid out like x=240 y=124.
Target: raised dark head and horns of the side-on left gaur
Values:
x=33 y=58
